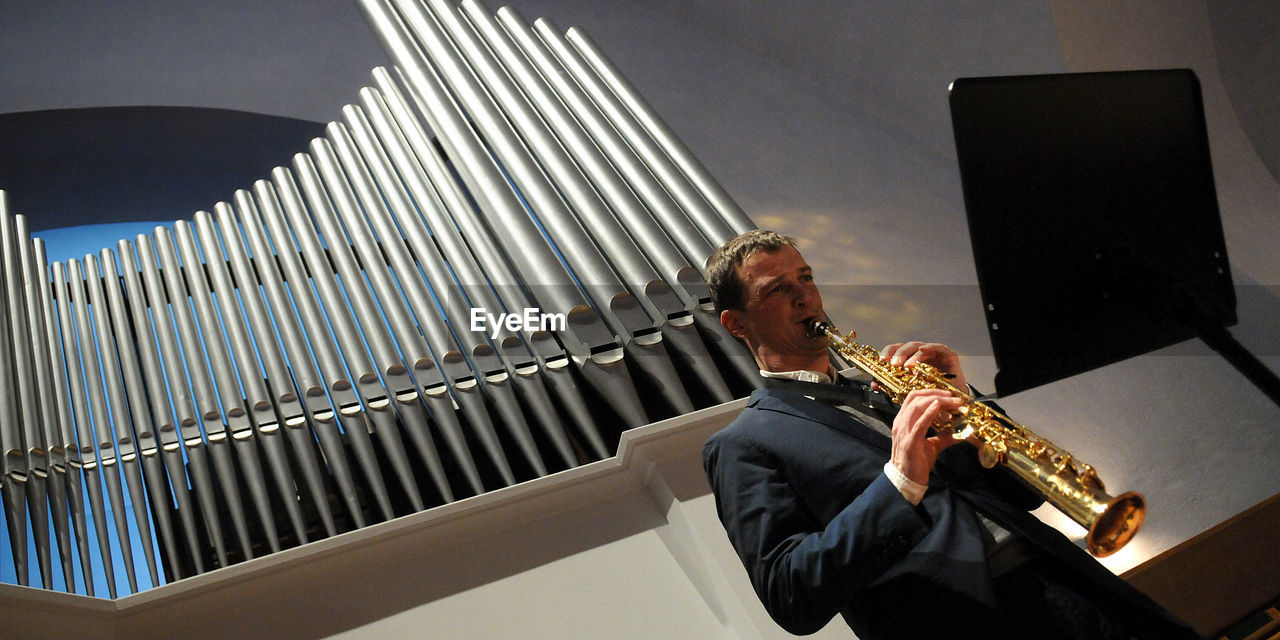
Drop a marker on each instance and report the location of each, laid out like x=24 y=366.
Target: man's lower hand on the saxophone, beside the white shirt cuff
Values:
x=915 y=450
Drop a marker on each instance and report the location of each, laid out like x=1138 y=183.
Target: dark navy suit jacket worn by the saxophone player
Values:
x=801 y=488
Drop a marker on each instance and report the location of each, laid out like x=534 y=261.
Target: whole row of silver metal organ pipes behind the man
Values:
x=301 y=362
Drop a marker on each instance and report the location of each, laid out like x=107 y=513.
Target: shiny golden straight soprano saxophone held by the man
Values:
x=1067 y=483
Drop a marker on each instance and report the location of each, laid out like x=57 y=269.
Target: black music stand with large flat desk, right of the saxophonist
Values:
x=1094 y=221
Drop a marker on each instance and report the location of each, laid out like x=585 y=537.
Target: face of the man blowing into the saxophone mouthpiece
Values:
x=780 y=301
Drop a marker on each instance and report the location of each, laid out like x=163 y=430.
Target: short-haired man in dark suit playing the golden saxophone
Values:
x=838 y=502
